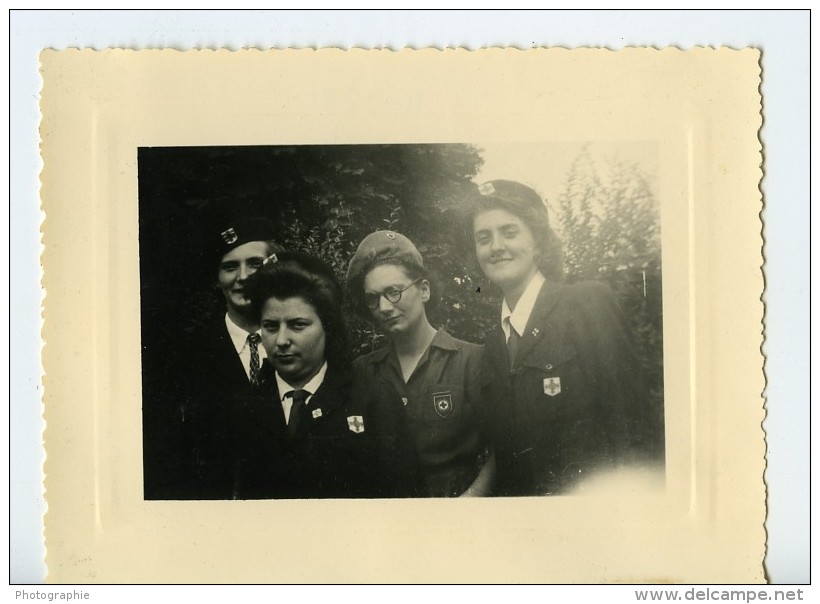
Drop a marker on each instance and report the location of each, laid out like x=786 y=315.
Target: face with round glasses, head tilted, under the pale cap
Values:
x=408 y=312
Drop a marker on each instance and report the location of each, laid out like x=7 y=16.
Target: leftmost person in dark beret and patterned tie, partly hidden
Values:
x=184 y=437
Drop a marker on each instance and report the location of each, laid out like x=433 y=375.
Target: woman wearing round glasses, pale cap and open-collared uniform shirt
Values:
x=426 y=382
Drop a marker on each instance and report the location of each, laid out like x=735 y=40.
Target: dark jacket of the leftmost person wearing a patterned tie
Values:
x=184 y=434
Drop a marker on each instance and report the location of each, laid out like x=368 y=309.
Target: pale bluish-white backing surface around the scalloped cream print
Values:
x=783 y=37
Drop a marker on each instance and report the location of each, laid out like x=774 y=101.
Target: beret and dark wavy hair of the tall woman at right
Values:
x=520 y=200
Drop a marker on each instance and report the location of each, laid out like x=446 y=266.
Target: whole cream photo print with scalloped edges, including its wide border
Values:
x=445 y=316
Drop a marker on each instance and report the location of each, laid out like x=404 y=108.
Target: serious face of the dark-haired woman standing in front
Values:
x=294 y=339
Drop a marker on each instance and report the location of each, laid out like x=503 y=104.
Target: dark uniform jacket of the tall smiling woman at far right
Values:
x=574 y=402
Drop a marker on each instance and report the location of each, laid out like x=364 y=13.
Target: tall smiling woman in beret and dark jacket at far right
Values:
x=564 y=392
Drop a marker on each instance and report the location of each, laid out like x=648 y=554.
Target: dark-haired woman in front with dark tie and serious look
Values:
x=299 y=435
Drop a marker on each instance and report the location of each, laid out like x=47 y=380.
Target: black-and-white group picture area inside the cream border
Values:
x=399 y=320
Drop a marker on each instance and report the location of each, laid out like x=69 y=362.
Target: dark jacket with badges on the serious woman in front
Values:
x=327 y=457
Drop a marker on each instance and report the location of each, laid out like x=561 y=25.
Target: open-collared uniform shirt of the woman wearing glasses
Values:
x=433 y=419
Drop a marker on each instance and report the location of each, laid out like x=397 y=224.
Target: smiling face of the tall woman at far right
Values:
x=505 y=248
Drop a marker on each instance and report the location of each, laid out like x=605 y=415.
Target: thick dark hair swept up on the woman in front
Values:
x=292 y=274
